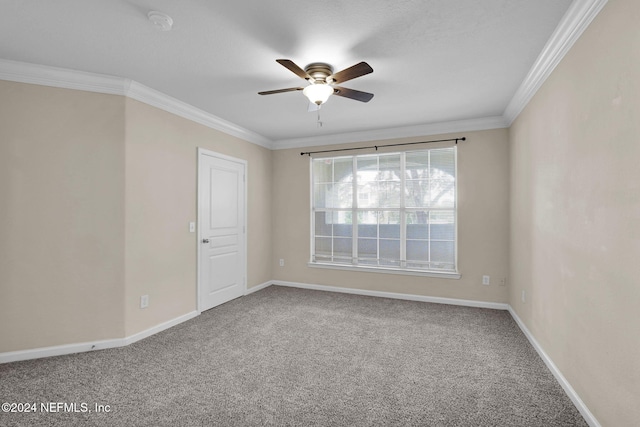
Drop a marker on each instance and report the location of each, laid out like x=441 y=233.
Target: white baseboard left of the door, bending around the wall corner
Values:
x=60 y=350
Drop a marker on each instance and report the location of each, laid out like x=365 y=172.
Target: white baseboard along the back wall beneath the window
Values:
x=395 y=295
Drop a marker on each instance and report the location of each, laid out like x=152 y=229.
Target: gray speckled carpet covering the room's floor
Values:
x=293 y=357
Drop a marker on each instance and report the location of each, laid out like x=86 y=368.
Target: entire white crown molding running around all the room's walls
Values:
x=574 y=22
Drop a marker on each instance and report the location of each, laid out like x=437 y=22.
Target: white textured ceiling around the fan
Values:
x=434 y=60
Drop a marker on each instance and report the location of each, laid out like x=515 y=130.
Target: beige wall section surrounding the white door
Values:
x=161 y=160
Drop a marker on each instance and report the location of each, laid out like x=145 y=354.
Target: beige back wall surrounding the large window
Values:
x=483 y=217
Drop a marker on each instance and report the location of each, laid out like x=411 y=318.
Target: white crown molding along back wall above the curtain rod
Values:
x=485 y=123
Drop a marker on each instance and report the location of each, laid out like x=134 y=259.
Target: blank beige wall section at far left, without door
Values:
x=61 y=216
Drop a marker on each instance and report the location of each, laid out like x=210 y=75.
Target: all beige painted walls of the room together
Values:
x=96 y=192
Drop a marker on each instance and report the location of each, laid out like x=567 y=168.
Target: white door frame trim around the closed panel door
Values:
x=201 y=153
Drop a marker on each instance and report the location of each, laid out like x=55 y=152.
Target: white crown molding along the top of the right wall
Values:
x=573 y=23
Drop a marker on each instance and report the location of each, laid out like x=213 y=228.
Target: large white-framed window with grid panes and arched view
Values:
x=386 y=211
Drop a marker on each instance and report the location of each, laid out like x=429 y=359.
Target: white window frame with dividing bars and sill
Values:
x=402 y=210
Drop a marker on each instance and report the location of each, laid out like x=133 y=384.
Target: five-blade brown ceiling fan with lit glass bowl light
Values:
x=322 y=81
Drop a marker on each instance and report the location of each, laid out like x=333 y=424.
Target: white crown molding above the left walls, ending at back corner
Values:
x=43 y=75
